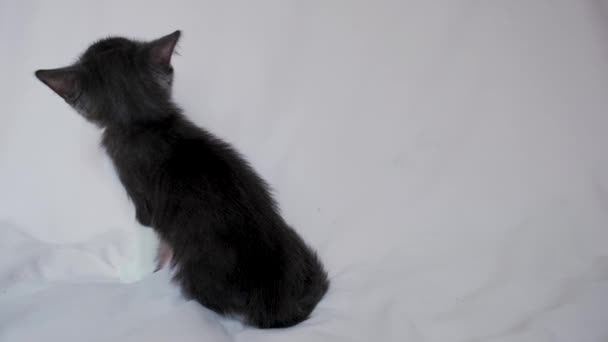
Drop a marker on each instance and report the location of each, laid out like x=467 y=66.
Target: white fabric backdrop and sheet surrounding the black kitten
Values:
x=447 y=159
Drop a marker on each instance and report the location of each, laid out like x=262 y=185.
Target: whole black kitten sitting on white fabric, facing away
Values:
x=231 y=249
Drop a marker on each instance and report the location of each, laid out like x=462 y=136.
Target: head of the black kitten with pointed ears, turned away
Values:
x=118 y=81
